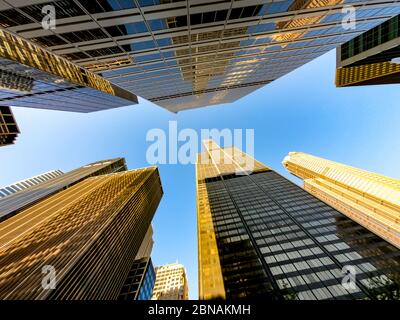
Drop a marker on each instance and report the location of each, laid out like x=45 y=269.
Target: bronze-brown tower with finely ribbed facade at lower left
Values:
x=79 y=243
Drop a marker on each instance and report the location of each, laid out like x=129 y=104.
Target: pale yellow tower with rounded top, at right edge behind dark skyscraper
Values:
x=369 y=199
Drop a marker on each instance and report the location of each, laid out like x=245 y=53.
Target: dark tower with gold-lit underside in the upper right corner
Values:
x=371 y=58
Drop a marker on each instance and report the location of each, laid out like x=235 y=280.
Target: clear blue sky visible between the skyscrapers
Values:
x=302 y=111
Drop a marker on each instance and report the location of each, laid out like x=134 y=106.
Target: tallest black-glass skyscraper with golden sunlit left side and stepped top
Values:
x=260 y=235
